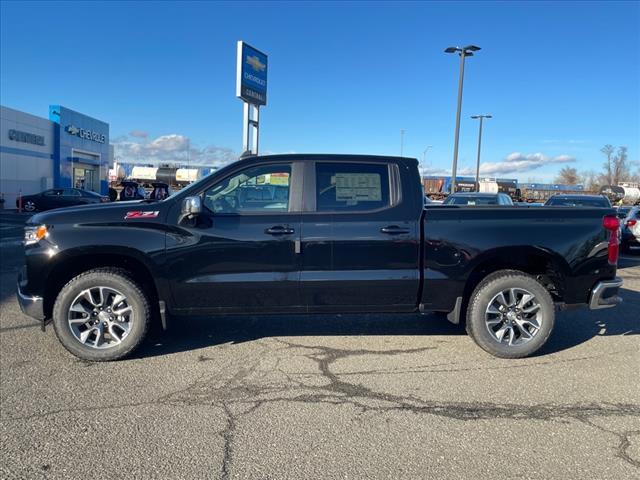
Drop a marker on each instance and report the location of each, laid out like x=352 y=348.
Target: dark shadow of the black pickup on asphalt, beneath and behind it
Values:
x=184 y=334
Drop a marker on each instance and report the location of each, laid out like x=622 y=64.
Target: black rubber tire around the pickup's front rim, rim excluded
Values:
x=111 y=278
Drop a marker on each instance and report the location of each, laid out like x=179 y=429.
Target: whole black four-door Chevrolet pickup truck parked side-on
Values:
x=307 y=234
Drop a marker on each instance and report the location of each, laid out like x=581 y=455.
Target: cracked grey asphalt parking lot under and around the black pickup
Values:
x=322 y=397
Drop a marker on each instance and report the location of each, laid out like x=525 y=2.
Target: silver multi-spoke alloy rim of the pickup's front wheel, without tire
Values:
x=100 y=317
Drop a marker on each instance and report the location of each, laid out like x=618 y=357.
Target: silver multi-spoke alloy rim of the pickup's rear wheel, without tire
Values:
x=513 y=316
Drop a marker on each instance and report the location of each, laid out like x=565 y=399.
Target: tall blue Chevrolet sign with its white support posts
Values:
x=251 y=88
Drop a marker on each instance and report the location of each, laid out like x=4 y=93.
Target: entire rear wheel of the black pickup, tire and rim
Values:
x=510 y=314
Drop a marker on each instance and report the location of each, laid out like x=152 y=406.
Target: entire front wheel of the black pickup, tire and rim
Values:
x=101 y=315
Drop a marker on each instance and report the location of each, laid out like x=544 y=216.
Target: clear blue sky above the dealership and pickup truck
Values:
x=560 y=79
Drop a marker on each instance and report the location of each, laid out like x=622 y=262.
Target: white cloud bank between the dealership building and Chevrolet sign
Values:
x=173 y=149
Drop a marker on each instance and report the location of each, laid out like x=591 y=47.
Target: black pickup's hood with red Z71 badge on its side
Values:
x=100 y=213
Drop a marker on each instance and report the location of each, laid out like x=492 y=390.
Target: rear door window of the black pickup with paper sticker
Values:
x=351 y=187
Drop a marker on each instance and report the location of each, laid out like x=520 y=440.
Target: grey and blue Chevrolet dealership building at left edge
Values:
x=69 y=149
